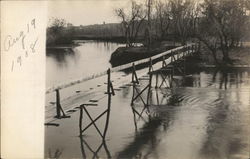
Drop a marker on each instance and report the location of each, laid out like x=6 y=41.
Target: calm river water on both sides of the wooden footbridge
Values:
x=205 y=115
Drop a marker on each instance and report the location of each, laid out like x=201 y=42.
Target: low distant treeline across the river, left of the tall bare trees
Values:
x=59 y=32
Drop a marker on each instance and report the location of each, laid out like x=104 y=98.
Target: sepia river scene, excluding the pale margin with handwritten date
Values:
x=147 y=79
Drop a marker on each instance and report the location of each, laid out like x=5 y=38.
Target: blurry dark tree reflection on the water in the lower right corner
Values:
x=223 y=131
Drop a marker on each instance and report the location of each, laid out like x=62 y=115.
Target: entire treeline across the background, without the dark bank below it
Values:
x=218 y=24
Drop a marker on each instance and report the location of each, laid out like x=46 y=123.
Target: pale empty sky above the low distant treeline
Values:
x=86 y=12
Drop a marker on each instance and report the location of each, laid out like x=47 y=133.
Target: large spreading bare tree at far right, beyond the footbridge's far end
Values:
x=227 y=19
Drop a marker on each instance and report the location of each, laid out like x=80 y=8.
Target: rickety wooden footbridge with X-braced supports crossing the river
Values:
x=162 y=66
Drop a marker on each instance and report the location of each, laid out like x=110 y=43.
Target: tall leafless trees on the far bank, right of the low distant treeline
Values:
x=219 y=24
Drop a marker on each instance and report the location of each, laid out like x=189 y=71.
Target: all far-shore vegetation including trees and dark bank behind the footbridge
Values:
x=219 y=26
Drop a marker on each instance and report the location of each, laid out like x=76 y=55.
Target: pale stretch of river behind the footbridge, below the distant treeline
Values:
x=89 y=57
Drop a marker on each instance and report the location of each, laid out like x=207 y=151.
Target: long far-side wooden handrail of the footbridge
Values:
x=115 y=69
